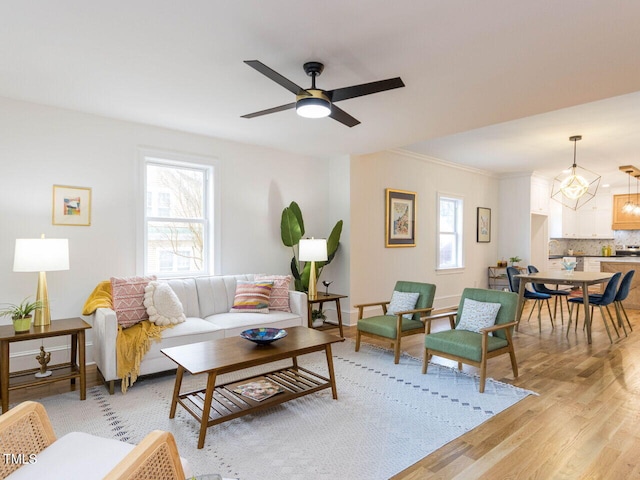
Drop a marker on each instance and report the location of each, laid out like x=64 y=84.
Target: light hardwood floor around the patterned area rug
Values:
x=585 y=423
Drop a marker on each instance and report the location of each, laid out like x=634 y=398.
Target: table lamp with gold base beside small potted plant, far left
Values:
x=41 y=255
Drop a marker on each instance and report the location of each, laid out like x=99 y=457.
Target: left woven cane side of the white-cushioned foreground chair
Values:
x=25 y=429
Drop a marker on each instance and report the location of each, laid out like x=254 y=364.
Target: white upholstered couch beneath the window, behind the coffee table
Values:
x=206 y=302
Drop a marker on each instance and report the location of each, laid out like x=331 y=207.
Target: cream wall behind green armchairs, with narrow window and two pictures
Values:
x=374 y=268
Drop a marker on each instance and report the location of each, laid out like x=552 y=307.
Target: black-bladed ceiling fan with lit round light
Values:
x=316 y=103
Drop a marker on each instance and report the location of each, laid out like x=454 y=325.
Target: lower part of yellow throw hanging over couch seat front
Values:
x=131 y=346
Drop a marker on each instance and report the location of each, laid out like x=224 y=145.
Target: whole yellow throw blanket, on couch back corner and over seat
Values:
x=131 y=343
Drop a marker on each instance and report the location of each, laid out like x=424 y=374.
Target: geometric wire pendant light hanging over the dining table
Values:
x=578 y=187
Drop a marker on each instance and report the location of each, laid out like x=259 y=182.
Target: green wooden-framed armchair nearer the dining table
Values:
x=474 y=348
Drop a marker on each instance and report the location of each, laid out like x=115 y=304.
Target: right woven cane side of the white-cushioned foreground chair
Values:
x=156 y=456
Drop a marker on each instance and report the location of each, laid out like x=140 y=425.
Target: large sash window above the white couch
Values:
x=177 y=221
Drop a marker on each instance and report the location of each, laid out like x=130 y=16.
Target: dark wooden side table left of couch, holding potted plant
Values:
x=75 y=368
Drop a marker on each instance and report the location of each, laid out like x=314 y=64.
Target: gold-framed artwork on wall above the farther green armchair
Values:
x=400 y=218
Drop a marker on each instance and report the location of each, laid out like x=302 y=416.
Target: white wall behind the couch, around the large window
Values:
x=41 y=146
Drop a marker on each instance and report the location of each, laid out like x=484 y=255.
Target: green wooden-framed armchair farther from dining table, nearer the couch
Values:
x=394 y=327
